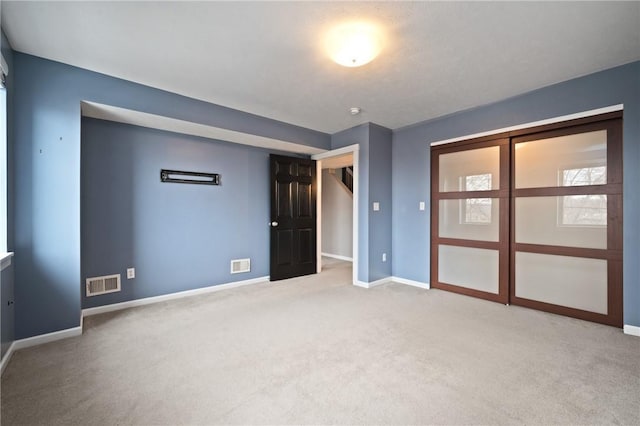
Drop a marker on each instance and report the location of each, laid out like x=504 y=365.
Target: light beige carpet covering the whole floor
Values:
x=318 y=350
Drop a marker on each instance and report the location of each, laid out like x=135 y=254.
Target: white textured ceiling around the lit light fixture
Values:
x=267 y=58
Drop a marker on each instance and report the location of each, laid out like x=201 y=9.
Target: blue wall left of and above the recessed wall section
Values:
x=47 y=175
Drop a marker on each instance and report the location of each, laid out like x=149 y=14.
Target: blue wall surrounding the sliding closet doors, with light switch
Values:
x=411 y=163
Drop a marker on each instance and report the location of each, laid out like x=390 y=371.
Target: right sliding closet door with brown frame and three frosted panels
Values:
x=566 y=222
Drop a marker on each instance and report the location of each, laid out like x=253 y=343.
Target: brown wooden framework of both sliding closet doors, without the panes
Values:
x=506 y=245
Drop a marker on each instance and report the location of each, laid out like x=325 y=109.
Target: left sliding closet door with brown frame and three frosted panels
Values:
x=469 y=219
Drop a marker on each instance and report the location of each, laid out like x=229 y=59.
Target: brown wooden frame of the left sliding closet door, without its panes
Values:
x=502 y=194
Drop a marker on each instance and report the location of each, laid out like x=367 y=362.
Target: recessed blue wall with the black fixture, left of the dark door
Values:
x=177 y=236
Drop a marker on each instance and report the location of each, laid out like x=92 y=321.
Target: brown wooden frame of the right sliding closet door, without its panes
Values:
x=612 y=254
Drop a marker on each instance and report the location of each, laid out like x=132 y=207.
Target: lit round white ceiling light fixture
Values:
x=354 y=44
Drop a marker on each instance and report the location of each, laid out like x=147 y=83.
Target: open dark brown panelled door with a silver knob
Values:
x=293 y=217
